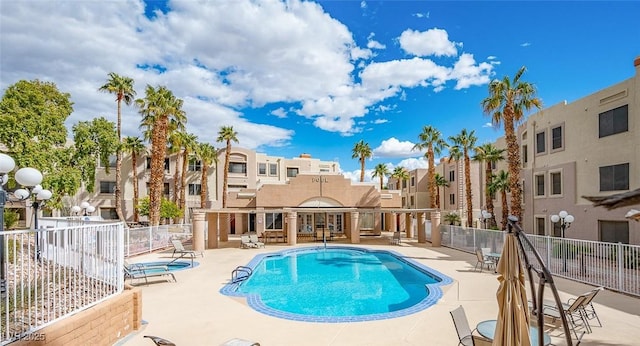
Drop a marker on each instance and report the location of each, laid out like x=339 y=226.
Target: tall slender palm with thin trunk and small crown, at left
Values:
x=122 y=87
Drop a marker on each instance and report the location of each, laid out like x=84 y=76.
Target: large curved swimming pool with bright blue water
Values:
x=338 y=284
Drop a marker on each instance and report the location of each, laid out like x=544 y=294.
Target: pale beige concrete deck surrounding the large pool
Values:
x=194 y=312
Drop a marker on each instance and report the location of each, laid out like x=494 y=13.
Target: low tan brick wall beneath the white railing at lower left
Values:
x=103 y=324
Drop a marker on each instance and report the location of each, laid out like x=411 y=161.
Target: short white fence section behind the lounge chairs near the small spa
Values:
x=148 y=239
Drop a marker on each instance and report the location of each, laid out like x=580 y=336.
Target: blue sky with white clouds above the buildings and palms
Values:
x=296 y=77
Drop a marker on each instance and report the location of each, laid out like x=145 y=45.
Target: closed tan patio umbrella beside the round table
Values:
x=512 y=326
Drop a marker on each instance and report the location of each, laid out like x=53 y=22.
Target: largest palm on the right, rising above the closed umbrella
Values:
x=507 y=102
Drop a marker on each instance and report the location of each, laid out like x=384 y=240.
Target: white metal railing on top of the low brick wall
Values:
x=55 y=272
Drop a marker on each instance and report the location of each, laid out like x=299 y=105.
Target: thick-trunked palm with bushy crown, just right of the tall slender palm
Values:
x=161 y=112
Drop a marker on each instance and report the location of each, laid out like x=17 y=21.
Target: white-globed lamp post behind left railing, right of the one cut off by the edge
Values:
x=31 y=178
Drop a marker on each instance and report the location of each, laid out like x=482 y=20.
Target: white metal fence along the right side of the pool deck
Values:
x=612 y=265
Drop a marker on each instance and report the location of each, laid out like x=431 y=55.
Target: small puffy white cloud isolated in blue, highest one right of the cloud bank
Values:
x=431 y=42
